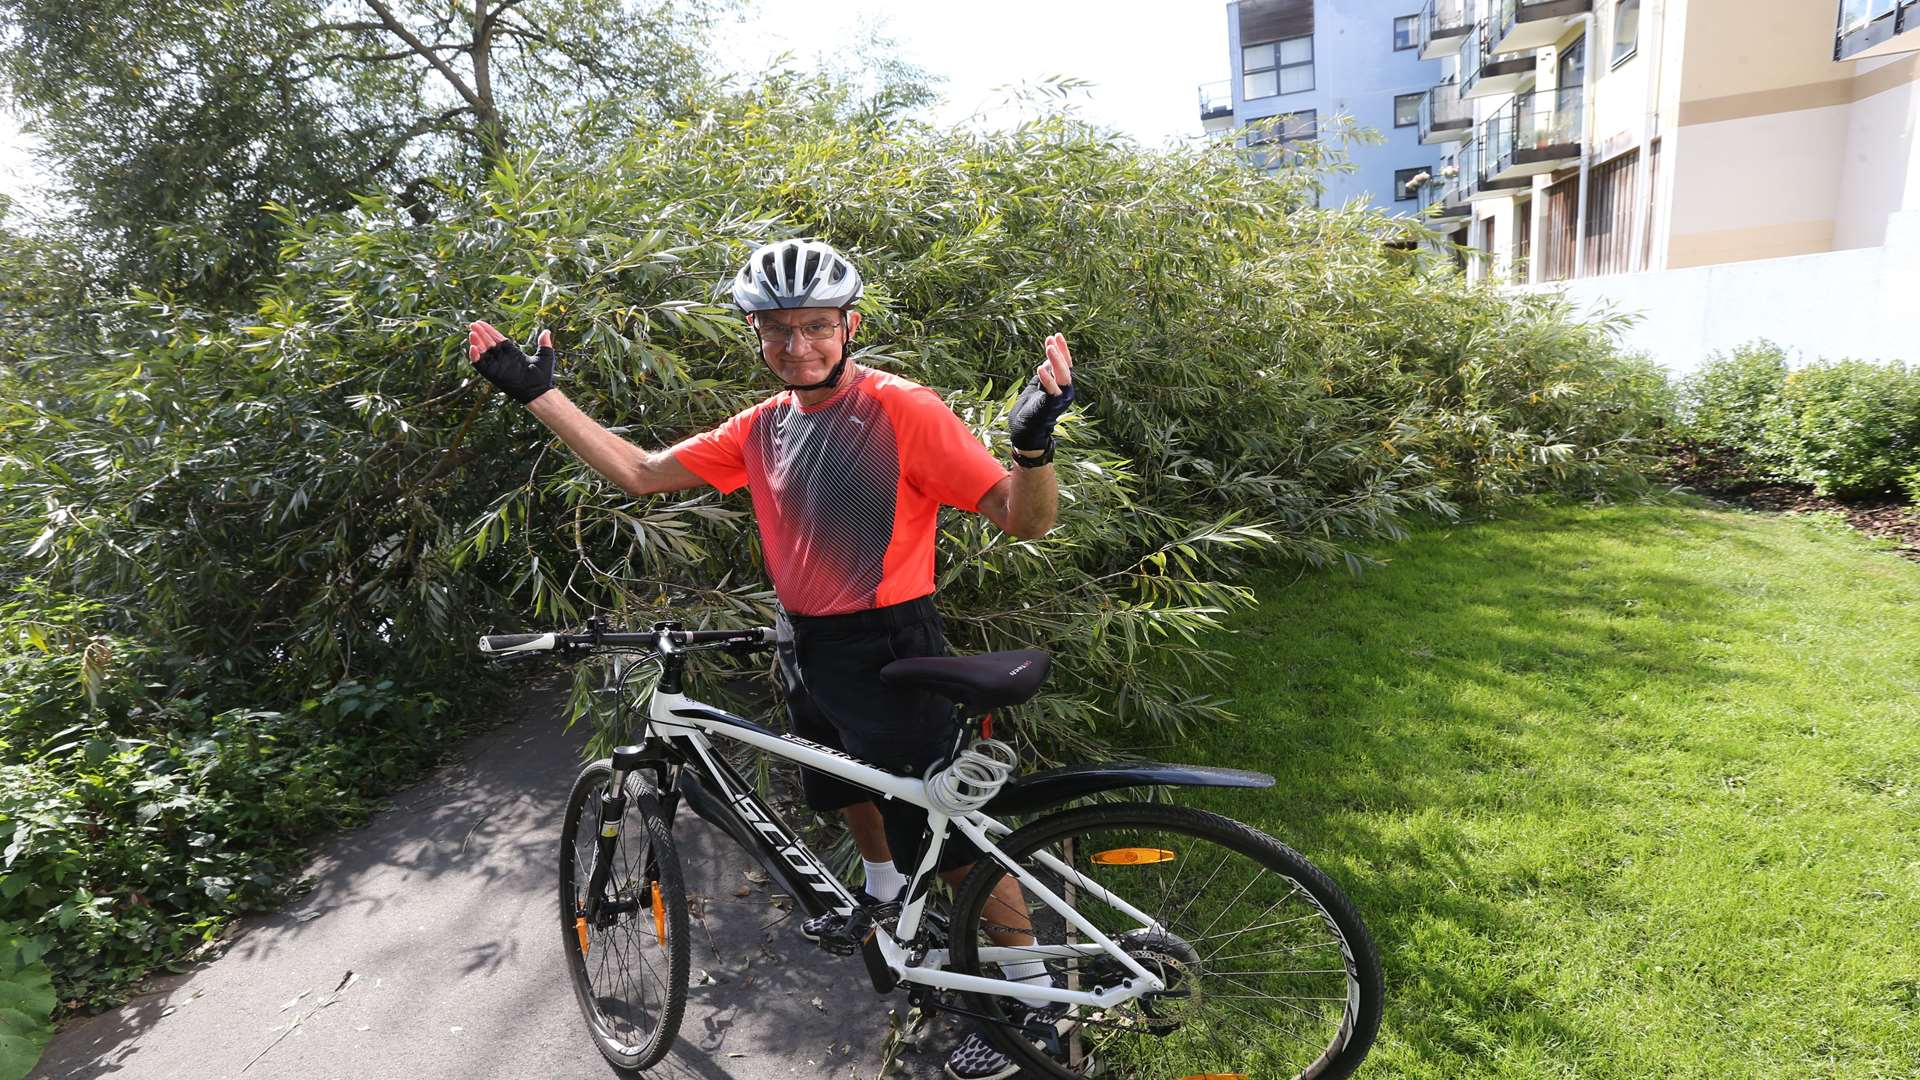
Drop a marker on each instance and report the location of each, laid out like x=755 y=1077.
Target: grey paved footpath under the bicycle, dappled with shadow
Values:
x=429 y=948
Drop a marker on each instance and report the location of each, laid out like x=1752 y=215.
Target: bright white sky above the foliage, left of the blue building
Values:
x=1145 y=59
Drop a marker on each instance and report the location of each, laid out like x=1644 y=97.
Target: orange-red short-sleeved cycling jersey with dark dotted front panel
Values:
x=848 y=491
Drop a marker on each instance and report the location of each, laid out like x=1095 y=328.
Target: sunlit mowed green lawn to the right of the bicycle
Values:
x=1621 y=793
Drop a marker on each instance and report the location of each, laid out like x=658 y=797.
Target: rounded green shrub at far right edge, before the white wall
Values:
x=1846 y=428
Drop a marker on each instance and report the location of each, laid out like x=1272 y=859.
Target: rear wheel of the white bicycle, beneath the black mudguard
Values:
x=1209 y=1023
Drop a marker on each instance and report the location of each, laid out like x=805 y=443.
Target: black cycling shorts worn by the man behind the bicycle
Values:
x=836 y=699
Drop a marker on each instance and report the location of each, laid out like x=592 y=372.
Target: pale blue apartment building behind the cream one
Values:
x=1303 y=64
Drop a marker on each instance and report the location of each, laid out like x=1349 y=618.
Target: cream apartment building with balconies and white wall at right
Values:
x=1725 y=168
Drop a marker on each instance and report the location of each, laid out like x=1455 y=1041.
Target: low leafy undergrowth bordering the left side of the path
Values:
x=135 y=823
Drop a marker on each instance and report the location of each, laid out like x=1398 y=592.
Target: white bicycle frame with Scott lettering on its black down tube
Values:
x=690 y=724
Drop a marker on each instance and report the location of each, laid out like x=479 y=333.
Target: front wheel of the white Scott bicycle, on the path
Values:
x=631 y=1031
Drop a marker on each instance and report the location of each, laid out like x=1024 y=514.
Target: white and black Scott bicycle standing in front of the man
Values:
x=1253 y=964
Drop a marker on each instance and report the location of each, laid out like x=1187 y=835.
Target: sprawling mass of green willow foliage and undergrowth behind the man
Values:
x=289 y=528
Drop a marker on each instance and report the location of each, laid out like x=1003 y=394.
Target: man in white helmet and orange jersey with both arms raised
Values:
x=848 y=470
